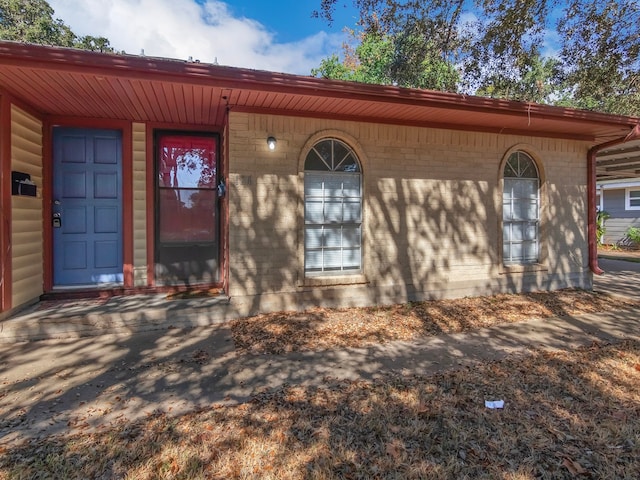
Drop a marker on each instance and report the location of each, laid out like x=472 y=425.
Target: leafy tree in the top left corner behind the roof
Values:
x=32 y=21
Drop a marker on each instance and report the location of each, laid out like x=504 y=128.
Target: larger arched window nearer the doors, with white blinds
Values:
x=332 y=210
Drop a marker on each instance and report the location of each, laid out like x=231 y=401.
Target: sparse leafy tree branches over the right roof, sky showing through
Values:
x=498 y=46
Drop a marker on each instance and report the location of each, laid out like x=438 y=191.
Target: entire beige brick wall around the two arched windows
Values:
x=431 y=219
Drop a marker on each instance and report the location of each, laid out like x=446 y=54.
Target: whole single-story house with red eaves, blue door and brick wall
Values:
x=135 y=174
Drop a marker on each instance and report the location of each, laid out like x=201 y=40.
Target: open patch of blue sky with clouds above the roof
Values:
x=279 y=36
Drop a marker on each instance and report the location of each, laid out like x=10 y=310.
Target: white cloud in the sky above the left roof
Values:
x=184 y=28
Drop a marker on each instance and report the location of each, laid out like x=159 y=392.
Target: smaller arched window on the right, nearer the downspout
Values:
x=521 y=210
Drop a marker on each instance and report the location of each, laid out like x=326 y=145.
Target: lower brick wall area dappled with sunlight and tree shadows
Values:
x=423 y=238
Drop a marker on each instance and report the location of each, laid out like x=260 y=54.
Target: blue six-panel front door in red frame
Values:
x=87 y=207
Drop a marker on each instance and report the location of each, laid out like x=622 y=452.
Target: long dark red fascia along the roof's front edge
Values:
x=80 y=61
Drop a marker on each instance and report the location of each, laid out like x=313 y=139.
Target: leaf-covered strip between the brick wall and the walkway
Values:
x=322 y=328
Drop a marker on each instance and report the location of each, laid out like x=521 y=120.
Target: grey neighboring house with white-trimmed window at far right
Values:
x=621 y=200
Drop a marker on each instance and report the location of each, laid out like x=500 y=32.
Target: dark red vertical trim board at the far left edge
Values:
x=5 y=204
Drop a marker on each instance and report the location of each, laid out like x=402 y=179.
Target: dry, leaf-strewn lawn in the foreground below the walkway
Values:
x=566 y=415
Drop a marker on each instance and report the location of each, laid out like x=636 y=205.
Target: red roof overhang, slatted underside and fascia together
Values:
x=73 y=83
